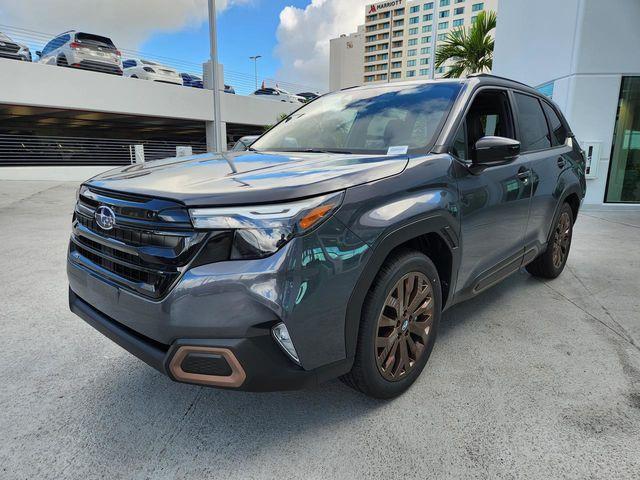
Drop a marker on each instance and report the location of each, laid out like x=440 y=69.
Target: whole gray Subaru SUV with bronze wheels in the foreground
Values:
x=333 y=245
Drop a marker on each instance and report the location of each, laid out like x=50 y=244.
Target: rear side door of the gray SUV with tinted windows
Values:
x=544 y=149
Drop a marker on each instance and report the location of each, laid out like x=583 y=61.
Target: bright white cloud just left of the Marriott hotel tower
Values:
x=303 y=37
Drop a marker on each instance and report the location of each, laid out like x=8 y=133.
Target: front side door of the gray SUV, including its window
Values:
x=495 y=203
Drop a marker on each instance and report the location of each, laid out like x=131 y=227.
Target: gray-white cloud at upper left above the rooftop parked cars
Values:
x=127 y=22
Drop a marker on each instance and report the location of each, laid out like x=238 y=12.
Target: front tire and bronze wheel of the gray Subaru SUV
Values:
x=398 y=328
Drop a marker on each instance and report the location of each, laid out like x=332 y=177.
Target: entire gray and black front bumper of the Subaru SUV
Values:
x=234 y=304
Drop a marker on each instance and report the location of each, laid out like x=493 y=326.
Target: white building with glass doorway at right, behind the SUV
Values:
x=585 y=57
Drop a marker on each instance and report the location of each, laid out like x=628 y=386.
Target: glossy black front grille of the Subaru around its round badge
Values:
x=150 y=246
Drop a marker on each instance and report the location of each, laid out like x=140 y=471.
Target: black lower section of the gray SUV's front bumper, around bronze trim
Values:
x=265 y=367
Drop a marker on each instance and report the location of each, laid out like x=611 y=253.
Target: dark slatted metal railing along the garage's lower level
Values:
x=28 y=150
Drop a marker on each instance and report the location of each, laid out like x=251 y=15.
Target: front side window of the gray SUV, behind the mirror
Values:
x=489 y=115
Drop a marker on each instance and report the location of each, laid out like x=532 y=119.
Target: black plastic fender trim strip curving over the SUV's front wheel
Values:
x=438 y=224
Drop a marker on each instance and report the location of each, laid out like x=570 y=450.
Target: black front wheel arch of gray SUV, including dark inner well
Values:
x=435 y=236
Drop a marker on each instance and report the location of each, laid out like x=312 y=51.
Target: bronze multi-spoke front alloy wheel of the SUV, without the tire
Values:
x=404 y=326
